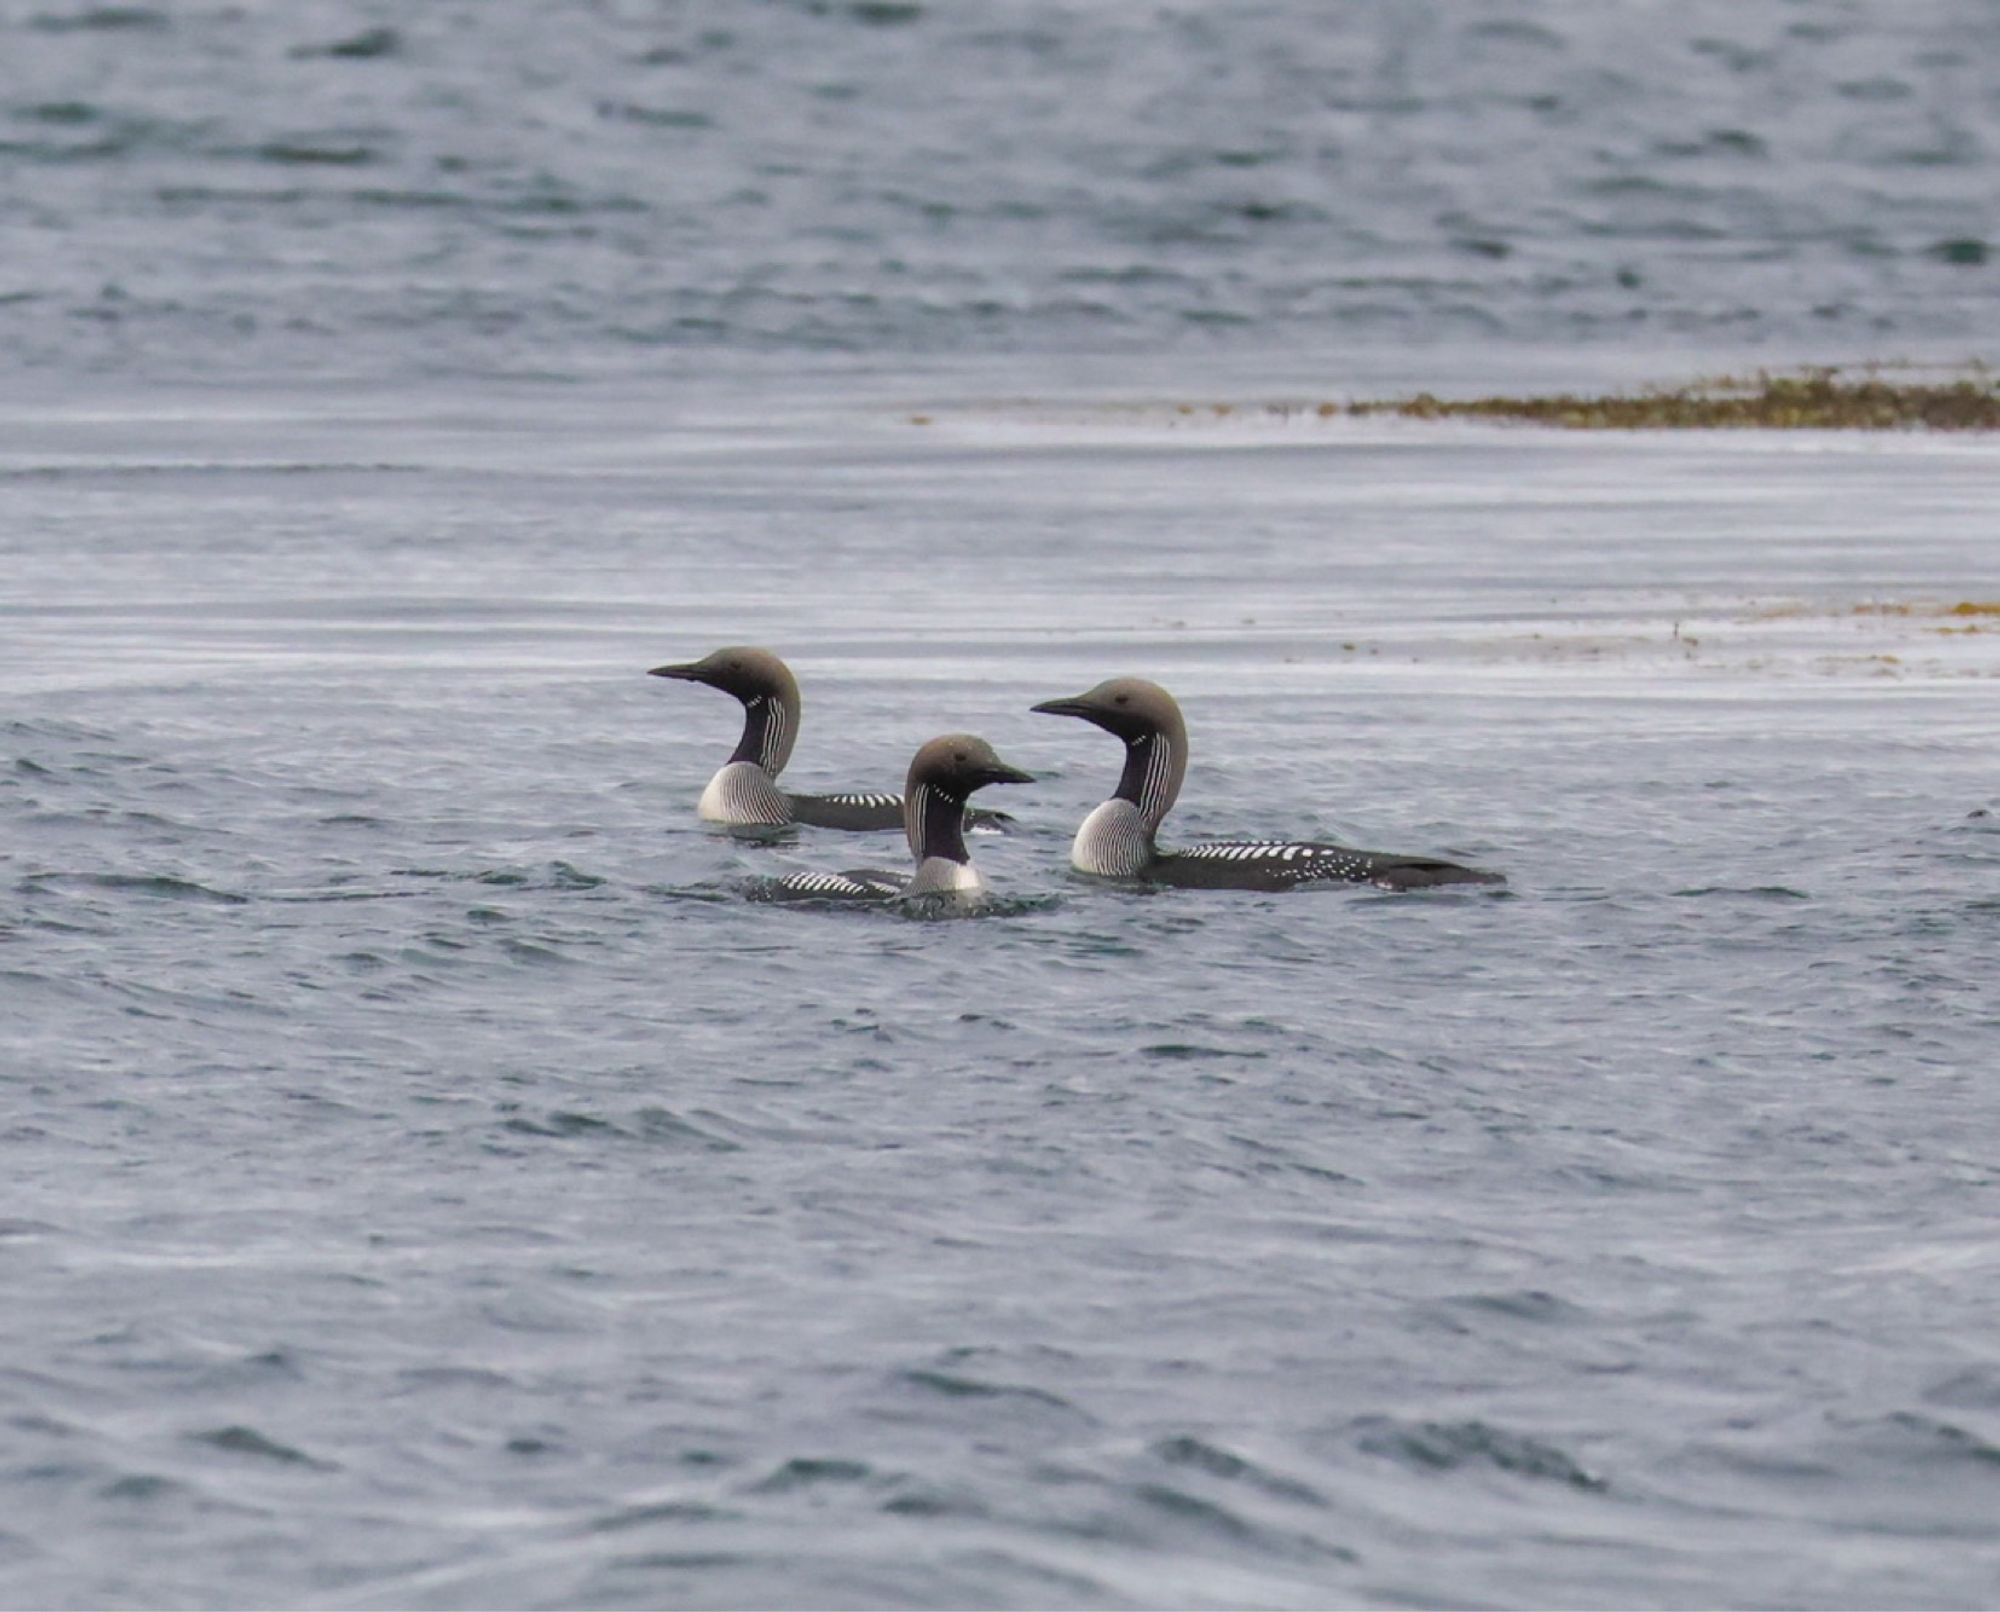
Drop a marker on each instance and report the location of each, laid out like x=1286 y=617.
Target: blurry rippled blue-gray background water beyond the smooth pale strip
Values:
x=515 y=187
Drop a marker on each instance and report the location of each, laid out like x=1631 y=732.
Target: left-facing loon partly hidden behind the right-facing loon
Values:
x=745 y=793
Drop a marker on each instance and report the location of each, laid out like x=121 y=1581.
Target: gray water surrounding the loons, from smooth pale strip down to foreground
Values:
x=429 y=1181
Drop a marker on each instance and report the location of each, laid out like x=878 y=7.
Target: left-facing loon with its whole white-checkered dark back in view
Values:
x=1117 y=839
